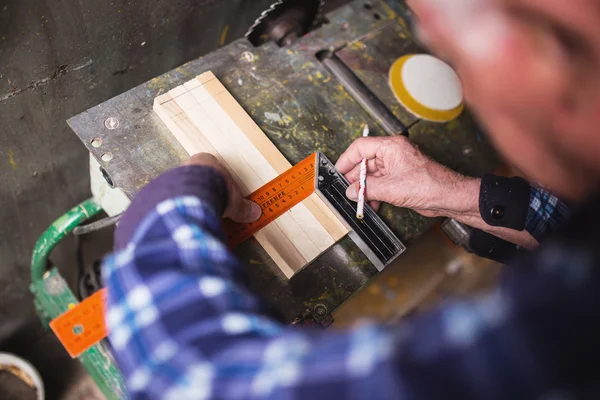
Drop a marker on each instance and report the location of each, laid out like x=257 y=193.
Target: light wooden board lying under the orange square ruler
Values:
x=204 y=117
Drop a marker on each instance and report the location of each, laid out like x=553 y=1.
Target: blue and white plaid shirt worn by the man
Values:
x=185 y=326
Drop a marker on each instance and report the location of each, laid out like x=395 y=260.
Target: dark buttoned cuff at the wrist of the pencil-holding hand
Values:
x=504 y=202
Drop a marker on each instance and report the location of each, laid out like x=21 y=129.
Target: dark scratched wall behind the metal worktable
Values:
x=57 y=59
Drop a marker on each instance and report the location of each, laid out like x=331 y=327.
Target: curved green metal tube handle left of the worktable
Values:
x=56 y=232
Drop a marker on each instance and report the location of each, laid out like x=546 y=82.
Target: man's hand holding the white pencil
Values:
x=399 y=174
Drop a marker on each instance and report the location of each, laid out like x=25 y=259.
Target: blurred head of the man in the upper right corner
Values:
x=531 y=73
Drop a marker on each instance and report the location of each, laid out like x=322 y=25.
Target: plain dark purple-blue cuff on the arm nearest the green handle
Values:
x=203 y=182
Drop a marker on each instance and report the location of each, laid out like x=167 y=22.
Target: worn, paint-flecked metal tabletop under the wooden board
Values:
x=301 y=108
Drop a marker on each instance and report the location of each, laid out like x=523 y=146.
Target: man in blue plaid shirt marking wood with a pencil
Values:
x=184 y=325
